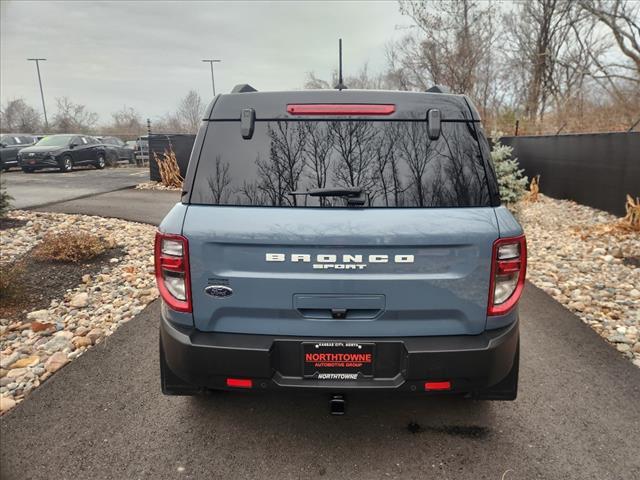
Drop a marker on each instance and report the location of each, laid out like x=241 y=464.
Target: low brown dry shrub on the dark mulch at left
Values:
x=70 y=246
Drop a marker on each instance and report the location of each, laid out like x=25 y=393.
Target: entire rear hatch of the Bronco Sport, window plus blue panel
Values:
x=413 y=260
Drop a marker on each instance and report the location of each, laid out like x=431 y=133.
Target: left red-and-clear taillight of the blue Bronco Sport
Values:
x=172 y=271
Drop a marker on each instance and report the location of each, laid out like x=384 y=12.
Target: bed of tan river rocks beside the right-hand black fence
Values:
x=577 y=257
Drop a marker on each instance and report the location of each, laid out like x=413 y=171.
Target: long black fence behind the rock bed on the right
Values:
x=593 y=169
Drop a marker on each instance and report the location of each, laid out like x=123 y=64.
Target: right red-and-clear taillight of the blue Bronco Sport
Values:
x=508 y=269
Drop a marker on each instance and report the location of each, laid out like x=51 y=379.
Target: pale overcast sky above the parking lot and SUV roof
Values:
x=147 y=54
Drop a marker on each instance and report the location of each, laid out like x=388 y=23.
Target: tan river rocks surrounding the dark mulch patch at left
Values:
x=32 y=350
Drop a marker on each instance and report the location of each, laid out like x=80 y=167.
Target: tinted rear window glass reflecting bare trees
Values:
x=393 y=162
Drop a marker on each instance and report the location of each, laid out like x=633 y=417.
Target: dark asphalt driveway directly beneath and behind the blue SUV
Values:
x=103 y=416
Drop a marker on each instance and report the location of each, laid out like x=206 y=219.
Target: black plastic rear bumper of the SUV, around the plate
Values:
x=470 y=363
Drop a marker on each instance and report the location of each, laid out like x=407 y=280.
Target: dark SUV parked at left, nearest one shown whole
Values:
x=63 y=152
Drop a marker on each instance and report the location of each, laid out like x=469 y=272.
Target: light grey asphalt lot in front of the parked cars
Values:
x=45 y=187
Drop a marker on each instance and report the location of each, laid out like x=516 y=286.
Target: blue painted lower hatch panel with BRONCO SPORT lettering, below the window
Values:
x=417 y=271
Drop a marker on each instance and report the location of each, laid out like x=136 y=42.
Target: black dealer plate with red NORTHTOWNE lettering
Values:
x=338 y=360
